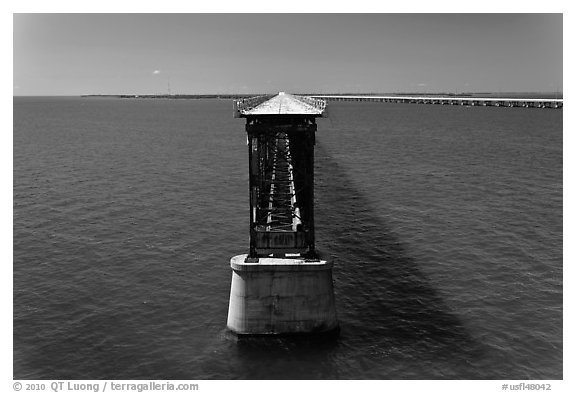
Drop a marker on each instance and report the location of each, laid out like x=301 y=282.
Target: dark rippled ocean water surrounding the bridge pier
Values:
x=445 y=225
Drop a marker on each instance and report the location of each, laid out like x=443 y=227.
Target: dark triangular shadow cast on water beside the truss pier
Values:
x=382 y=295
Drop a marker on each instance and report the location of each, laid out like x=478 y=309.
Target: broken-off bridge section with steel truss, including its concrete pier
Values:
x=281 y=286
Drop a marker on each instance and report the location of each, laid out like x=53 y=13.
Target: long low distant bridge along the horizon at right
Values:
x=448 y=100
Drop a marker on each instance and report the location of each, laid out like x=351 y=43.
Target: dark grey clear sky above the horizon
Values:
x=73 y=54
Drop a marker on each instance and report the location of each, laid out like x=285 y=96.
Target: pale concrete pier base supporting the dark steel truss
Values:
x=281 y=296
